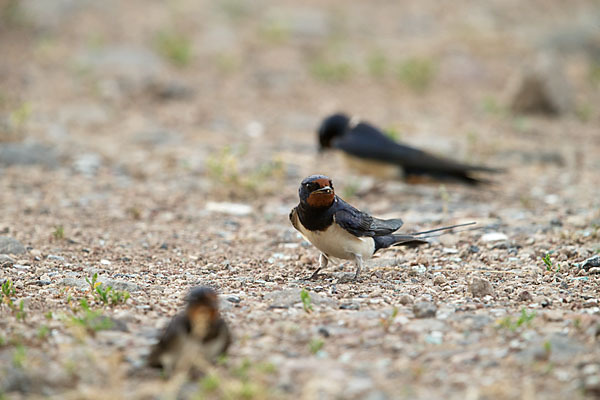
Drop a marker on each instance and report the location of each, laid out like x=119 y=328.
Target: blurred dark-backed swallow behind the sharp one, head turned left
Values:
x=363 y=142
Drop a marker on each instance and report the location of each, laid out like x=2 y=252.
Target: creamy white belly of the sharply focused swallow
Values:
x=337 y=242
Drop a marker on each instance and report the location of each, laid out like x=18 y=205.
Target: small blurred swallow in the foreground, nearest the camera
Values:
x=196 y=333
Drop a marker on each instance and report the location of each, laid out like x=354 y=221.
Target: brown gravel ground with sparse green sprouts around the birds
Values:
x=160 y=146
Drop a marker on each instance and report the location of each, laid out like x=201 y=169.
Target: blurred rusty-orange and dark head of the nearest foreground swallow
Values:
x=202 y=309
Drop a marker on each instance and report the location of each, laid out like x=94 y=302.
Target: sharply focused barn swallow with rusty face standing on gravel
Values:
x=339 y=230
